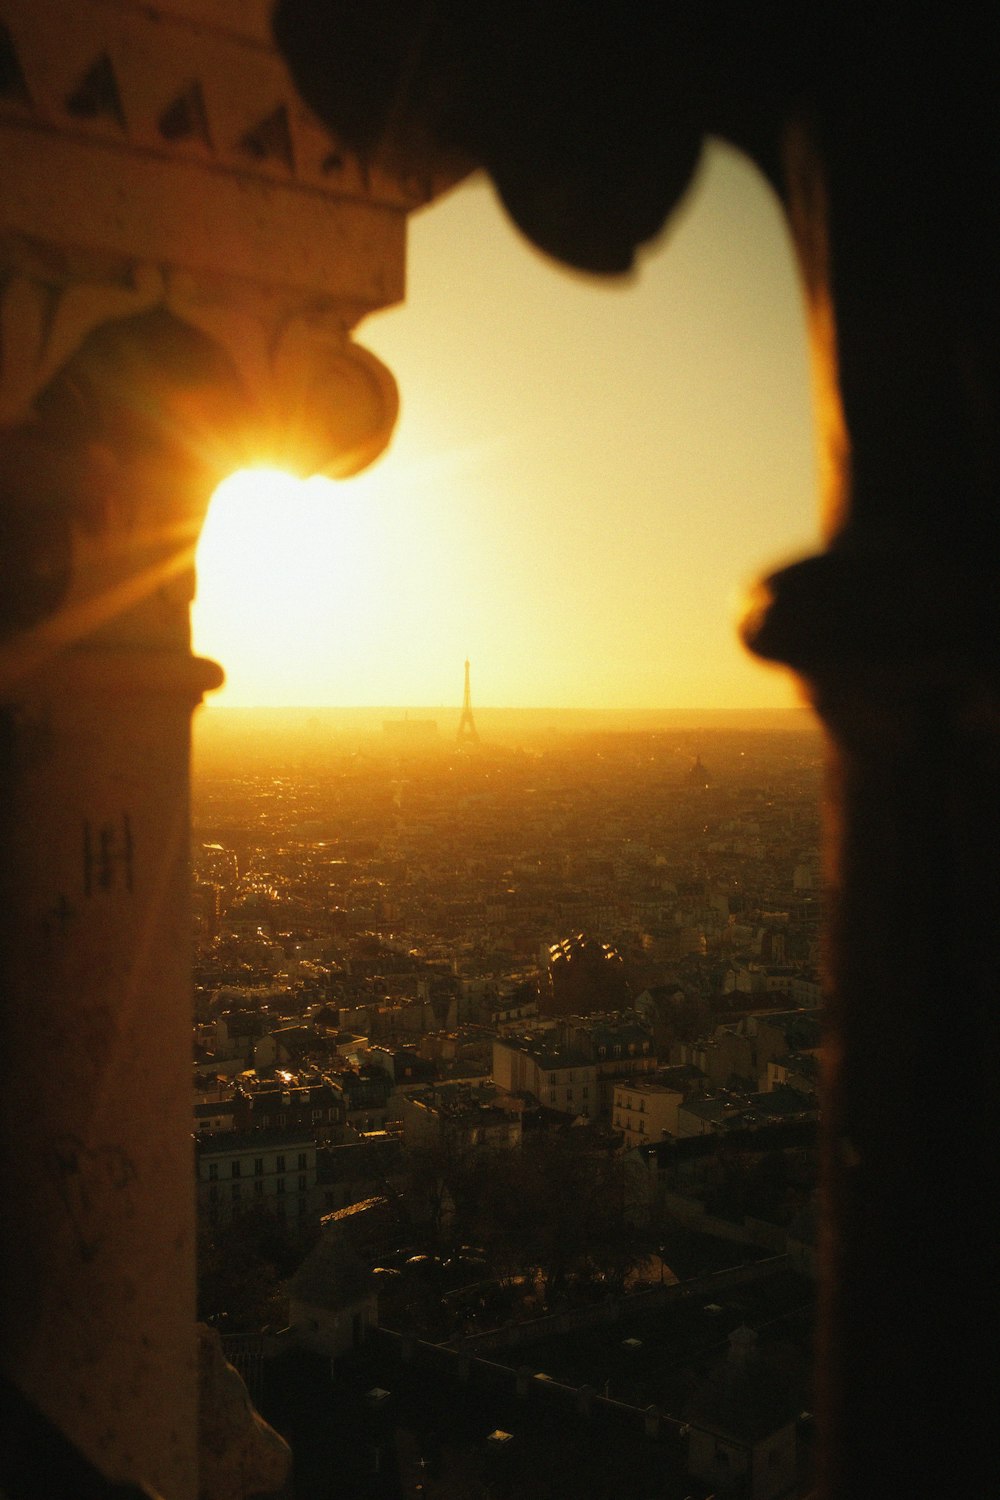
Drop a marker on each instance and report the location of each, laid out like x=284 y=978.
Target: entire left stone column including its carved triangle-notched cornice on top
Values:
x=184 y=254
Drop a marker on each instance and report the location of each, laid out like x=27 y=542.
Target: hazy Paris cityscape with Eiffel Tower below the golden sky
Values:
x=506 y=1060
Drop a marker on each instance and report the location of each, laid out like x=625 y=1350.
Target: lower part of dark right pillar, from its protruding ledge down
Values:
x=912 y=832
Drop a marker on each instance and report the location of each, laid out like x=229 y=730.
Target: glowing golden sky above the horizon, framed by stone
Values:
x=584 y=479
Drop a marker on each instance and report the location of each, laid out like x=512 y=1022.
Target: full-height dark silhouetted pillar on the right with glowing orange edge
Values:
x=894 y=634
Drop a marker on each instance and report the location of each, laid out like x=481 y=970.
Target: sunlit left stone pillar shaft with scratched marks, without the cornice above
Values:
x=98 y=691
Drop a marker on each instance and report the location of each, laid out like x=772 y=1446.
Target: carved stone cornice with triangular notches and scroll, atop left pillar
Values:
x=161 y=160
